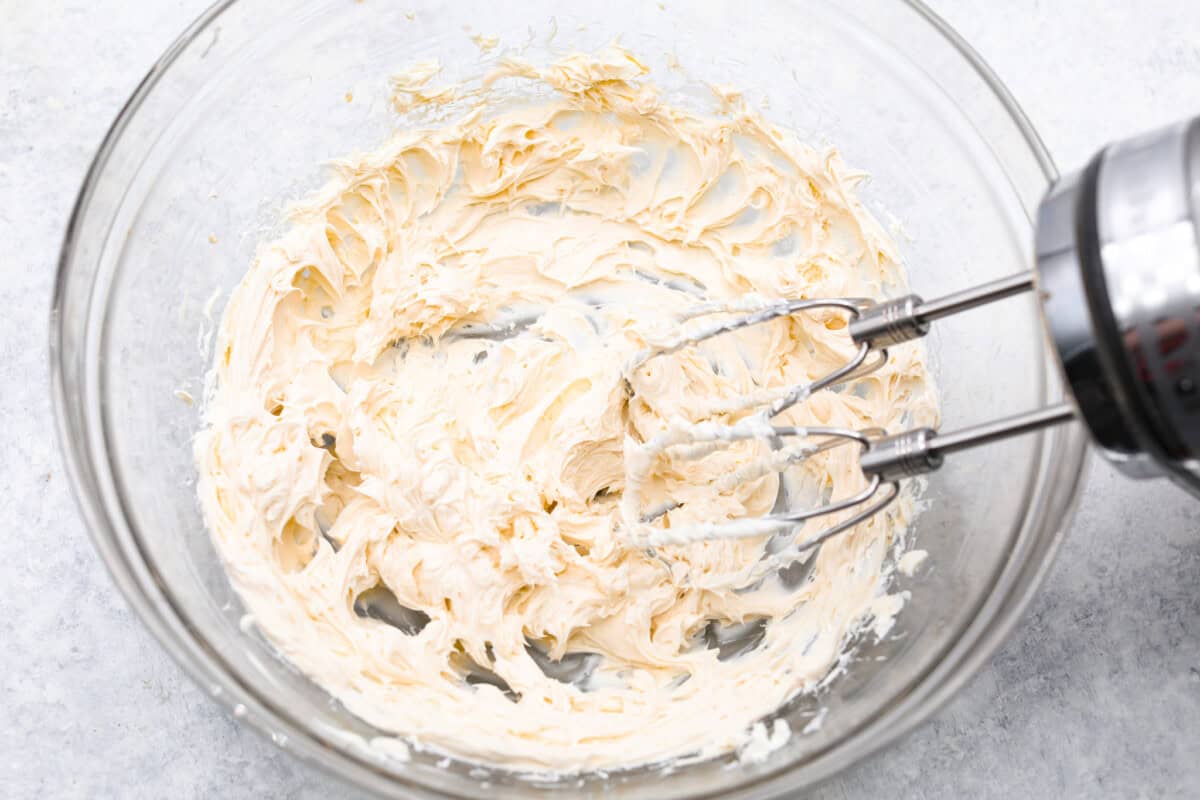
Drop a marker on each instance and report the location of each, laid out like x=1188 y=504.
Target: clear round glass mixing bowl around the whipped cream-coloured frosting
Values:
x=237 y=118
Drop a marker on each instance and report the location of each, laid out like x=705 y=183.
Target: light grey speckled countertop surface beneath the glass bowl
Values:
x=1096 y=695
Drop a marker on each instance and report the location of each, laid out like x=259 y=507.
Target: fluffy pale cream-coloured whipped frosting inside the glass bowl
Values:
x=365 y=436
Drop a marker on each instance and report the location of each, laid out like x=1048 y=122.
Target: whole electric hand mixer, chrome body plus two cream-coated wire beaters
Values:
x=1118 y=272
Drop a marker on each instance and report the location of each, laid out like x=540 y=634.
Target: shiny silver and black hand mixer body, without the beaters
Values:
x=1119 y=274
